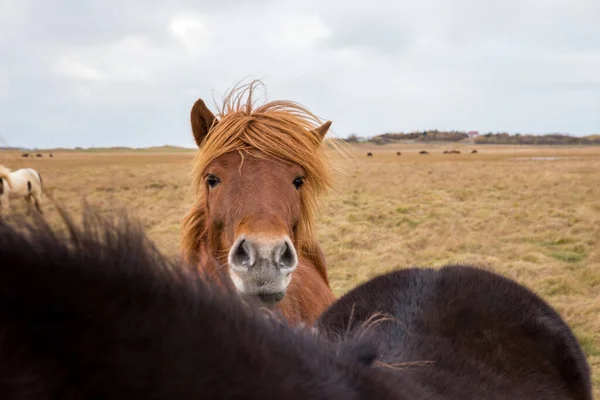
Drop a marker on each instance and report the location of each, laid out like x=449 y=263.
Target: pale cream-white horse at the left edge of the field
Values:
x=24 y=182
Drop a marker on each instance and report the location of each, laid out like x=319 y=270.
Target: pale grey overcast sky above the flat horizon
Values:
x=126 y=73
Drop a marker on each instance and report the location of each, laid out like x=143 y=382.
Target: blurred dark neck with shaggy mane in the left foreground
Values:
x=101 y=314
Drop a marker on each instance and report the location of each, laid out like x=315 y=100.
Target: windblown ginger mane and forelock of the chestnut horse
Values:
x=278 y=129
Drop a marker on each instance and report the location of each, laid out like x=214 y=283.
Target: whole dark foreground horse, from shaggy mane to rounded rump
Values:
x=96 y=312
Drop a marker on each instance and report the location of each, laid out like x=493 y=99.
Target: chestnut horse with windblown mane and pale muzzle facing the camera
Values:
x=257 y=177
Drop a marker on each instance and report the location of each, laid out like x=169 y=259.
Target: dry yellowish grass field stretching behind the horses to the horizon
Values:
x=535 y=220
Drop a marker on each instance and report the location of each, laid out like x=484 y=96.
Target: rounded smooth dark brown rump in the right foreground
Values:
x=463 y=332
